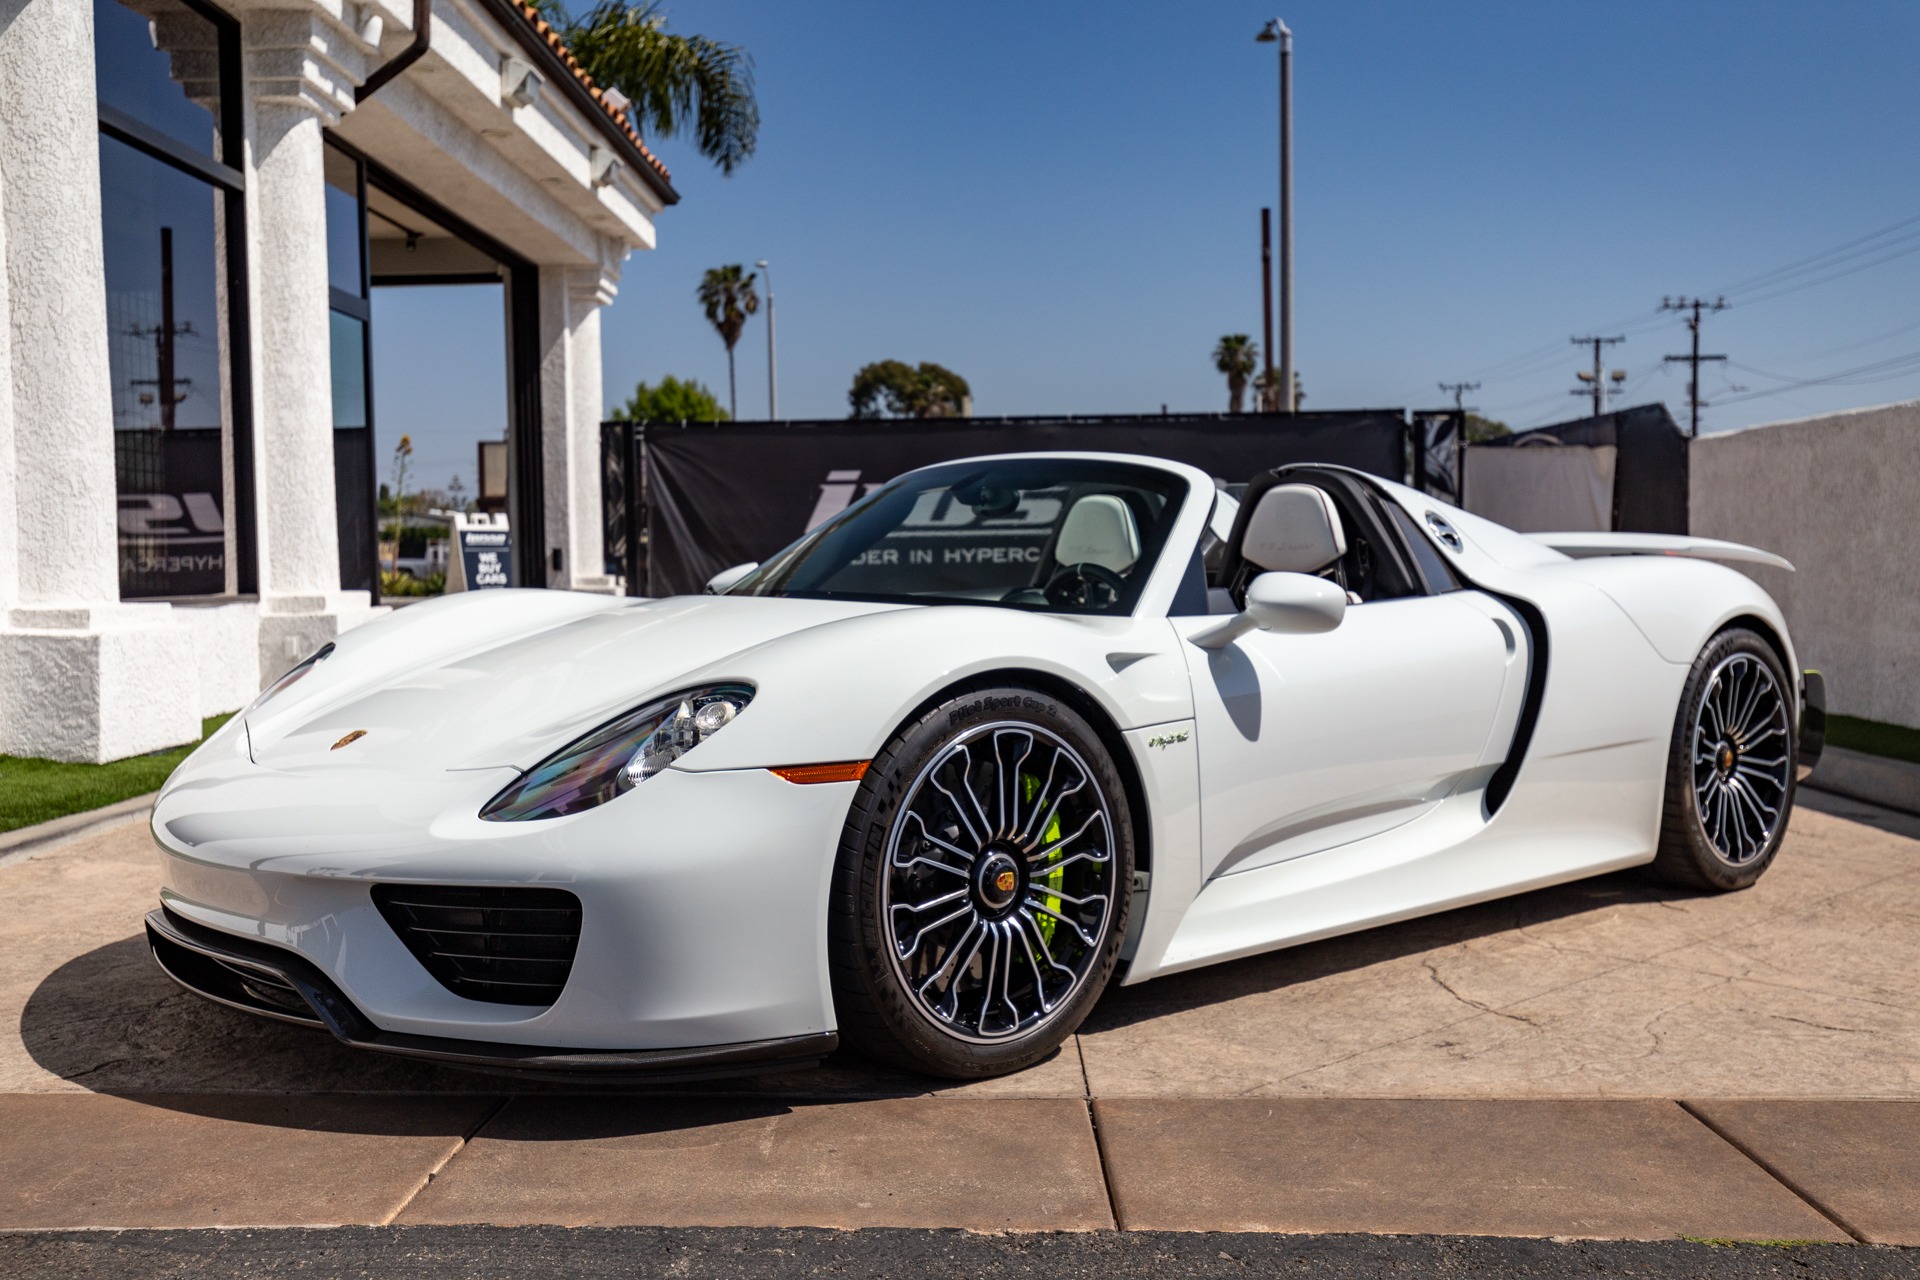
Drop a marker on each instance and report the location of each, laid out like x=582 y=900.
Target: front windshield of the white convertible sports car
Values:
x=1072 y=536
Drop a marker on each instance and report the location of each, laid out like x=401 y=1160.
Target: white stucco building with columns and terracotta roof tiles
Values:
x=197 y=201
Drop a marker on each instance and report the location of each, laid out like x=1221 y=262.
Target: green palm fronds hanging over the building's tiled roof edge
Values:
x=673 y=83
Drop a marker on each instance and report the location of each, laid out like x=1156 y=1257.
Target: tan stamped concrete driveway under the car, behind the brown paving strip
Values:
x=1802 y=987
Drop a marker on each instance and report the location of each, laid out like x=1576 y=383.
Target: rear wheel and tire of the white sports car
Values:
x=1731 y=769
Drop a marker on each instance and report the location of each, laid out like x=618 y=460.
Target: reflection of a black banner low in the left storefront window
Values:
x=172 y=527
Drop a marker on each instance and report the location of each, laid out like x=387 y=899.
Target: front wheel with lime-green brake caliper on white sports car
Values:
x=990 y=838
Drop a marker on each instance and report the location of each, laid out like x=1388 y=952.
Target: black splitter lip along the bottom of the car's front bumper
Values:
x=277 y=984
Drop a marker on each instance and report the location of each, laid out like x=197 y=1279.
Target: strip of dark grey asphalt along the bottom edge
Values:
x=562 y=1254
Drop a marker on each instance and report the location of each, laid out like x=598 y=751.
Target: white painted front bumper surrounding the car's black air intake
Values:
x=704 y=899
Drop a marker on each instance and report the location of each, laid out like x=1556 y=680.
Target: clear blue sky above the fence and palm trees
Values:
x=1061 y=202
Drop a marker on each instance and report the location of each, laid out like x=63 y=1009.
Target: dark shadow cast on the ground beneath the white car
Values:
x=114 y=1024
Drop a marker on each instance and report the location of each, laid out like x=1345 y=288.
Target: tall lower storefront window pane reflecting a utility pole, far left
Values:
x=168 y=354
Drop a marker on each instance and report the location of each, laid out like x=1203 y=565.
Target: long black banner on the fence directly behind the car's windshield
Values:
x=725 y=494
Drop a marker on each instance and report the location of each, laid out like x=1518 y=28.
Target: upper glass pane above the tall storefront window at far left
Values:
x=160 y=62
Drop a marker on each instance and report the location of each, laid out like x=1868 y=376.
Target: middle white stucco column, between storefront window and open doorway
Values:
x=300 y=74
